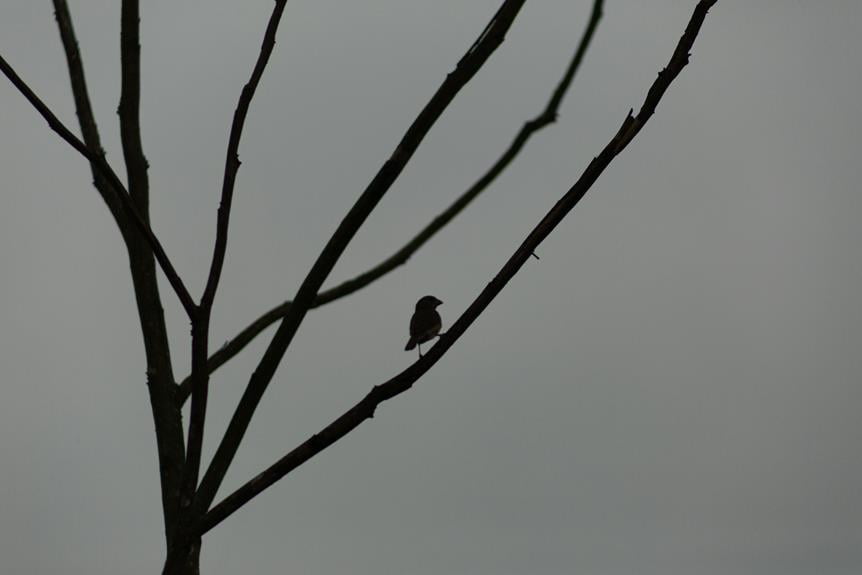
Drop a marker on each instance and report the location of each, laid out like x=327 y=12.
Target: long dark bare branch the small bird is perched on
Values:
x=403 y=381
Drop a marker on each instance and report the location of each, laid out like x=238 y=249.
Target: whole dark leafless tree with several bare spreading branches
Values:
x=188 y=495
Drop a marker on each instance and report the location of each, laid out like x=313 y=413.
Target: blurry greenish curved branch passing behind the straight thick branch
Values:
x=400 y=257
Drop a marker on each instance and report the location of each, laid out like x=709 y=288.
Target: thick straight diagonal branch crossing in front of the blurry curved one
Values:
x=467 y=67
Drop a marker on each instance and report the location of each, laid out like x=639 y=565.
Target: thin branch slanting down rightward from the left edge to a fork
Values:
x=96 y=159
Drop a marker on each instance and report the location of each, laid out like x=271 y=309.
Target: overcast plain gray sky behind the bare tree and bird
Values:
x=673 y=388
